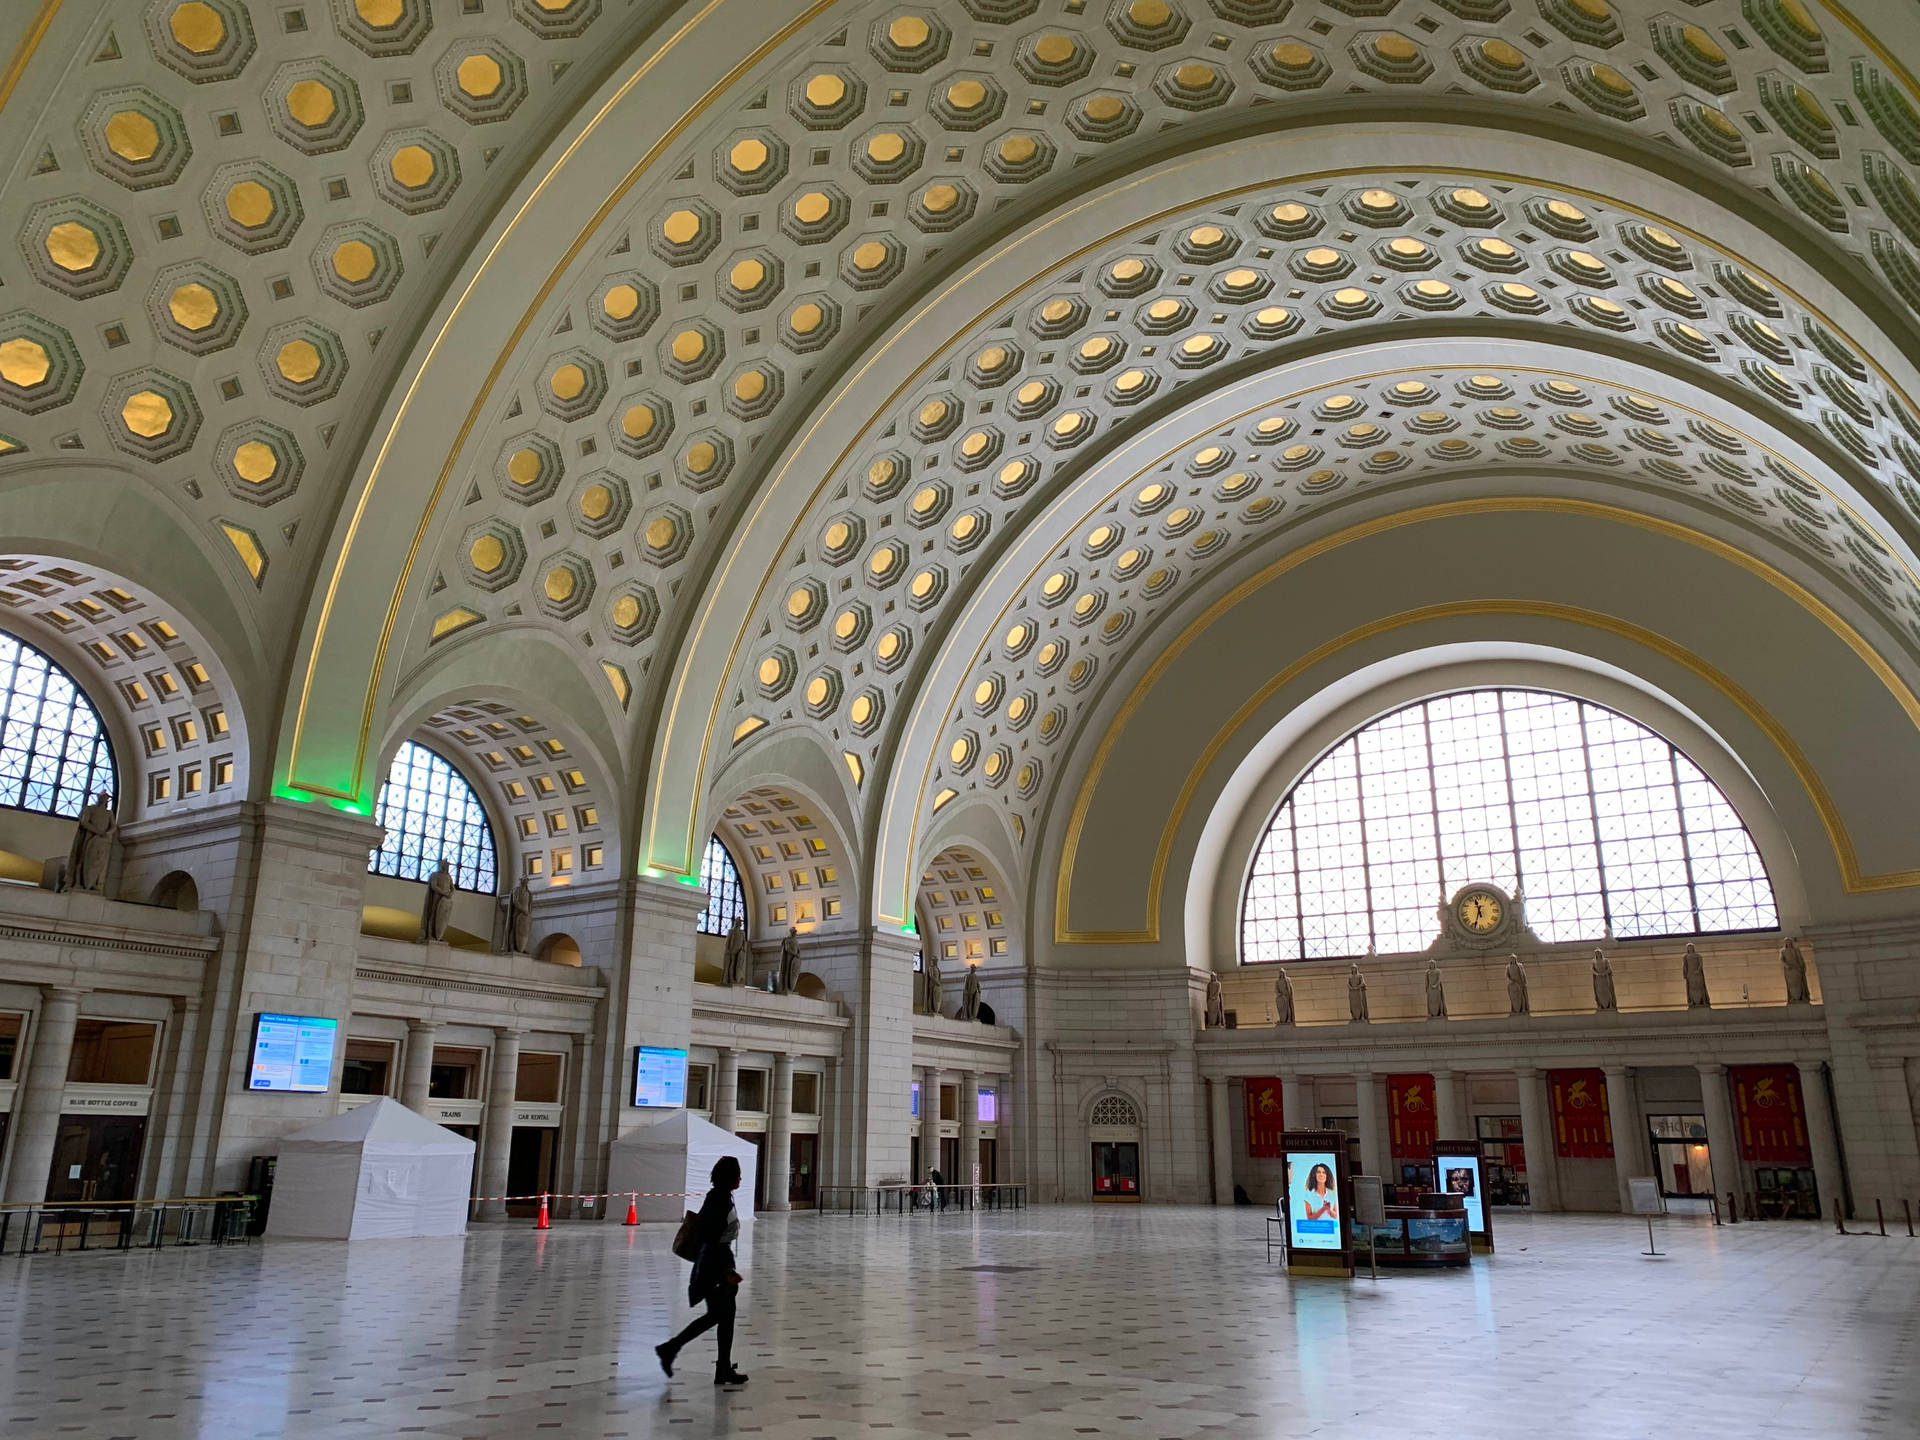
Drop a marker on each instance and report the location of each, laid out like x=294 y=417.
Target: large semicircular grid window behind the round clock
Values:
x=1606 y=830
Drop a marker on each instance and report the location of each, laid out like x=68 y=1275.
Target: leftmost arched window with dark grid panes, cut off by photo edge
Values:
x=53 y=746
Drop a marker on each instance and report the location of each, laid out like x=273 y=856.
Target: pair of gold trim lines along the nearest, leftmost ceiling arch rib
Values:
x=500 y=364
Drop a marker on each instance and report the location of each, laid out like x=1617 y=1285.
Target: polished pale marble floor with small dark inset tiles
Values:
x=1049 y=1324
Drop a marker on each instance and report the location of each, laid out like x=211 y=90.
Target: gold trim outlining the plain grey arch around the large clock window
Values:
x=1844 y=852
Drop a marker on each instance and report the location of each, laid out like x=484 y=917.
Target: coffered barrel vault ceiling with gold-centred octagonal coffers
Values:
x=237 y=226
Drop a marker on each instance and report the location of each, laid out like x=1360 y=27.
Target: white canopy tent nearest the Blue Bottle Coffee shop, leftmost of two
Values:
x=377 y=1172
